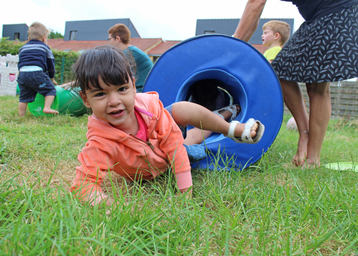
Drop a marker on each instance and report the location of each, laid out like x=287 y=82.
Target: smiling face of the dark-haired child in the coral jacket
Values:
x=113 y=104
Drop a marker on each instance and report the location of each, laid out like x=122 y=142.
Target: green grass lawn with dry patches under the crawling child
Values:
x=267 y=209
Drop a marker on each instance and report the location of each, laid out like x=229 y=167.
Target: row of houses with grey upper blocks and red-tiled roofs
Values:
x=86 y=34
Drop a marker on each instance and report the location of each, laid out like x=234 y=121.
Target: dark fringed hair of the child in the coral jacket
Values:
x=103 y=62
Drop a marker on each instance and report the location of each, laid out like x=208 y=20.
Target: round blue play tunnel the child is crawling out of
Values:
x=244 y=73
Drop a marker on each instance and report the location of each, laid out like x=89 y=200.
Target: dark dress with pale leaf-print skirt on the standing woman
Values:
x=324 y=48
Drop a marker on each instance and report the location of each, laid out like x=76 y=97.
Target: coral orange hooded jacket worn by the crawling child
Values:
x=110 y=149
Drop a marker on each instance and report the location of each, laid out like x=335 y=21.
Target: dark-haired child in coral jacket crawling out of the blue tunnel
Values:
x=132 y=133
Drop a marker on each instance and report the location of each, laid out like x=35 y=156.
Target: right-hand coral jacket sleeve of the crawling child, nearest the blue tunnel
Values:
x=172 y=142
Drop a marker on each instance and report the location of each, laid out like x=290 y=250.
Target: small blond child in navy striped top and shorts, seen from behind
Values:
x=37 y=69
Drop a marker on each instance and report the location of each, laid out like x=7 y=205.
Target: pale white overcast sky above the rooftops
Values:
x=152 y=19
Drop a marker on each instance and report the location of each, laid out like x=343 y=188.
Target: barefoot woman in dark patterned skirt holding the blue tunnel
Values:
x=324 y=49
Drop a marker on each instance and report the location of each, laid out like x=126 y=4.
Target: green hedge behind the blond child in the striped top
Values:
x=63 y=60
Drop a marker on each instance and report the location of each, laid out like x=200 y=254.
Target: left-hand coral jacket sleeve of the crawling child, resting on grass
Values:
x=95 y=163
